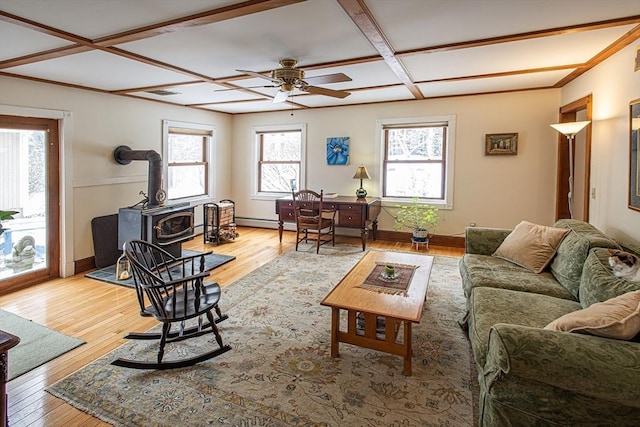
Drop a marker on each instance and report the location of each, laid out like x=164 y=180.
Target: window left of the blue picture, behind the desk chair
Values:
x=280 y=159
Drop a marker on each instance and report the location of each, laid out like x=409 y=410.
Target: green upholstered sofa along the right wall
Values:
x=531 y=376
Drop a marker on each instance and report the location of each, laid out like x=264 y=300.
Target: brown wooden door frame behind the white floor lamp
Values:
x=568 y=113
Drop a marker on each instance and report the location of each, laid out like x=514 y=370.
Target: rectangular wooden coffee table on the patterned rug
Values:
x=396 y=310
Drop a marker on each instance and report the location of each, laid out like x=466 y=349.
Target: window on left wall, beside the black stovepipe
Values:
x=187 y=155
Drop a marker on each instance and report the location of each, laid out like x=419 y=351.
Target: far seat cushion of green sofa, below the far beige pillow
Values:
x=493 y=272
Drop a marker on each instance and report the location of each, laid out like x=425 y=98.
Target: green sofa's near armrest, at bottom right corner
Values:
x=586 y=365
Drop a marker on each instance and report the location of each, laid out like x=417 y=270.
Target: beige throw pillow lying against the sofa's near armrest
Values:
x=617 y=318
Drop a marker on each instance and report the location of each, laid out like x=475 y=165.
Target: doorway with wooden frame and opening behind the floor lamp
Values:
x=578 y=110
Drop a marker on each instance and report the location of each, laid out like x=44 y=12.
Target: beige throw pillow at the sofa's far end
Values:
x=531 y=245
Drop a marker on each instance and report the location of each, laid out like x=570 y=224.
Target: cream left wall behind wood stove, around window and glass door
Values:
x=95 y=184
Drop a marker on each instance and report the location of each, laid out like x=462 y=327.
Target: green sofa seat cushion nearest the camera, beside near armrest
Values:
x=489 y=306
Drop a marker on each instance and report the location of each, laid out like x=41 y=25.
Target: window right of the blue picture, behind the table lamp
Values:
x=416 y=157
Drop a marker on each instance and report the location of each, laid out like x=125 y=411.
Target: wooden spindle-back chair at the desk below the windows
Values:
x=312 y=218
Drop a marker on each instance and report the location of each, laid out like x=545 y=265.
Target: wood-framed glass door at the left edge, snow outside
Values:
x=29 y=171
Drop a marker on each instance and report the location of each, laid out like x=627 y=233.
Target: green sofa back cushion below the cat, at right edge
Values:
x=598 y=282
